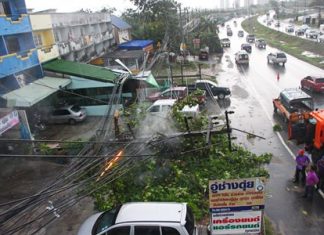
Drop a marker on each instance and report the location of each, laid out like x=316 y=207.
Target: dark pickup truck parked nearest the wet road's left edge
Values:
x=211 y=88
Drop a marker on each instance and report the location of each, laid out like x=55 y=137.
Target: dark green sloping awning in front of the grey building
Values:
x=81 y=70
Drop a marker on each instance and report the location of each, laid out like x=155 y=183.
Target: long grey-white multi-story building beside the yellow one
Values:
x=82 y=36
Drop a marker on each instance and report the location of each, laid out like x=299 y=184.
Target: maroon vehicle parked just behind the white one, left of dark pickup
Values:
x=179 y=92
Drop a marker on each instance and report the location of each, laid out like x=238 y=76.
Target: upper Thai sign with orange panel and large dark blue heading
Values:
x=236 y=195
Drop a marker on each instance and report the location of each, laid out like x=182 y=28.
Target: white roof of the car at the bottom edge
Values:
x=152 y=212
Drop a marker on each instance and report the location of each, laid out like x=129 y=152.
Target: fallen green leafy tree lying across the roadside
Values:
x=181 y=171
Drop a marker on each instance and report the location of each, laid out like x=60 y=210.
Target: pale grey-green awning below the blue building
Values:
x=34 y=92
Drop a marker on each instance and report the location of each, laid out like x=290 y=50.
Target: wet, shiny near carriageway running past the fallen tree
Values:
x=253 y=89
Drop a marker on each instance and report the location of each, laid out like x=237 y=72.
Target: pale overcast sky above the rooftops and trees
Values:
x=120 y=5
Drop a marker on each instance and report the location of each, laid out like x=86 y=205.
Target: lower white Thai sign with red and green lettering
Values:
x=236 y=222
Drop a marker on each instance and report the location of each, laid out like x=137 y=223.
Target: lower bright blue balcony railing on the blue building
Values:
x=16 y=62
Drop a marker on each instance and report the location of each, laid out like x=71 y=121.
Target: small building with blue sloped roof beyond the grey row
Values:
x=122 y=30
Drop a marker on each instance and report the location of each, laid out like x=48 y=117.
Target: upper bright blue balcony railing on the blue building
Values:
x=10 y=26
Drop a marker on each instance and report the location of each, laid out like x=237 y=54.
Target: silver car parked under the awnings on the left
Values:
x=68 y=114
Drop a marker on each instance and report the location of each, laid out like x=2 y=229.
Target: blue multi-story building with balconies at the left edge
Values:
x=19 y=64
